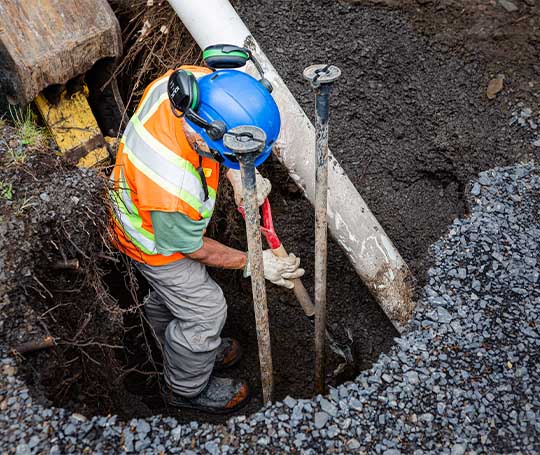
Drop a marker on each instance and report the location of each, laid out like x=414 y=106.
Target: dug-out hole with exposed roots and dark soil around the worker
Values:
x=106 y=361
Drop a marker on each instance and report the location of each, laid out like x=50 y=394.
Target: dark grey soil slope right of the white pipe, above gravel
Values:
x=409 y=124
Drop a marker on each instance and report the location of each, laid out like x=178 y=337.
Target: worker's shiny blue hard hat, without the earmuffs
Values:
x=236 y=99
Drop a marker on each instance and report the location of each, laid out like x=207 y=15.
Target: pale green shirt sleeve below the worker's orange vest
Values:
x=175 y=232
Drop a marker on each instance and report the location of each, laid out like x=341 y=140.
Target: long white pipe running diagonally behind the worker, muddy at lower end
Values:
x=351 y=223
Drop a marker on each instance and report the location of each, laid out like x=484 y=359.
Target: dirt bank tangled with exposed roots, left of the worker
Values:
x=53 y=240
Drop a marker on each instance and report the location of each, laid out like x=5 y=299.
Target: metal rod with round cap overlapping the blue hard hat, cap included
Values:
x=246 y=143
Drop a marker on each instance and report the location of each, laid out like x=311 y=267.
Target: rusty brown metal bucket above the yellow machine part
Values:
x=49 y=42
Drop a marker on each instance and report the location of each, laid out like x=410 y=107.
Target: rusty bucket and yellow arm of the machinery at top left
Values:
x=44 y=46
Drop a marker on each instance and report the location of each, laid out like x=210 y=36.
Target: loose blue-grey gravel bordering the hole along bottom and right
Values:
x=465 y=378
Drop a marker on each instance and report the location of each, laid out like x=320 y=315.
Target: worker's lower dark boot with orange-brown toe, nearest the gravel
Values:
x=220 y=396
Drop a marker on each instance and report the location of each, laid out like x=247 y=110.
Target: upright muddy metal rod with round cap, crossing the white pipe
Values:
x=321 y=78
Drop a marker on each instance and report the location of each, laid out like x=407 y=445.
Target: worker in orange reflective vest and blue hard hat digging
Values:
x=165 y=184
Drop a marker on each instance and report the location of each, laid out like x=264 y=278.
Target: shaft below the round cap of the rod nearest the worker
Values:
x=258 y=285
